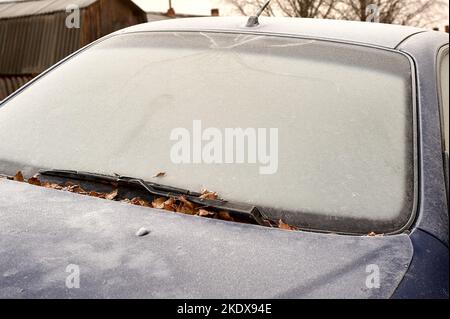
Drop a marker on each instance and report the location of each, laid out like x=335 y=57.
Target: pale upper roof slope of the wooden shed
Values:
x=36 y=7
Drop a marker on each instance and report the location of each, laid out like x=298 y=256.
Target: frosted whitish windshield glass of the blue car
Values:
x=319 y=134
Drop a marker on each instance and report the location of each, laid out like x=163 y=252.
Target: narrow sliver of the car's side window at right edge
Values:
x=444 y=82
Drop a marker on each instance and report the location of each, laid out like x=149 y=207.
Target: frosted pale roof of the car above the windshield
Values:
x=376 y=34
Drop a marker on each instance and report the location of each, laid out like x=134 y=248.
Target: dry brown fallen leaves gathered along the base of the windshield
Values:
x=177 y=204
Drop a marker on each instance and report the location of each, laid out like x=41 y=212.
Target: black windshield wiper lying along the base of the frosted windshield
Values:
x=164 y=191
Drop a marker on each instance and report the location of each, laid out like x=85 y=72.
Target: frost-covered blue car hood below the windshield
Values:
x=45 y=232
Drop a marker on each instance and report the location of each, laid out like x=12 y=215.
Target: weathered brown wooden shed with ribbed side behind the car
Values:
x=34 y=35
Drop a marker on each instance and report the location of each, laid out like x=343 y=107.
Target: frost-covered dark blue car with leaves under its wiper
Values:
x=265 y=158
